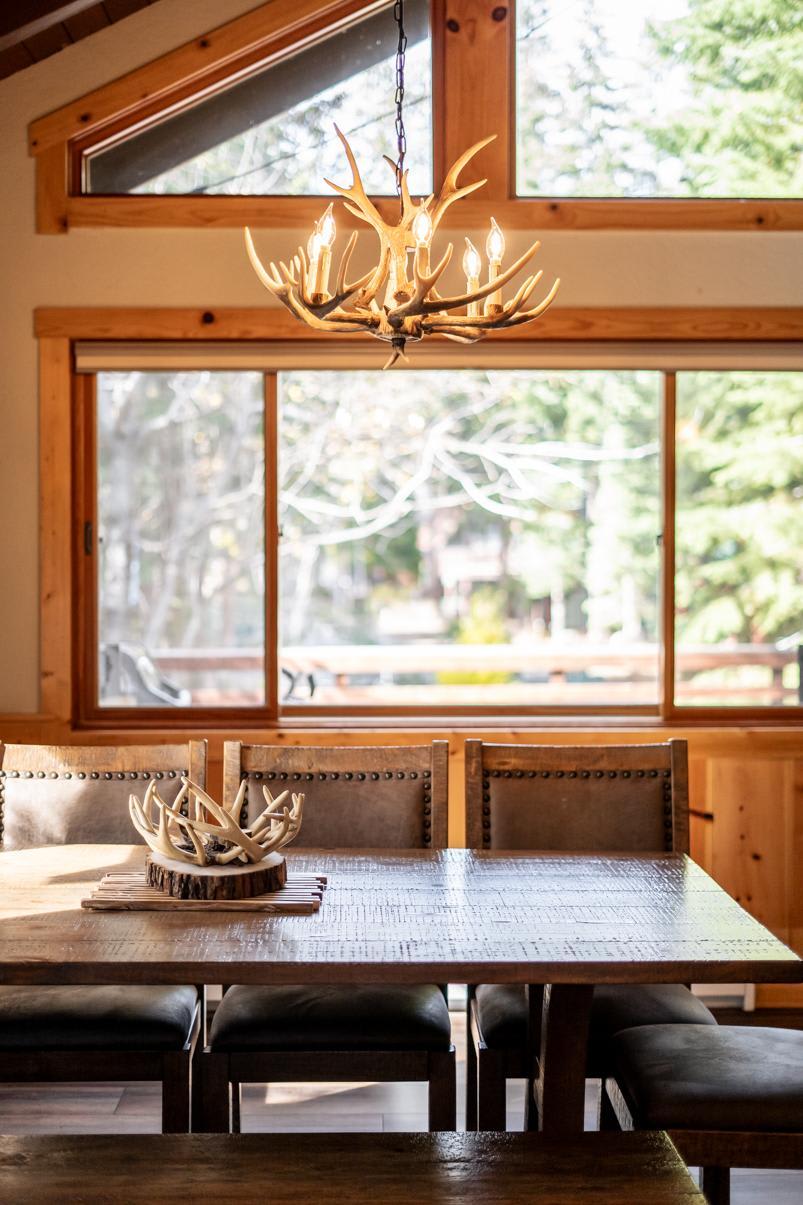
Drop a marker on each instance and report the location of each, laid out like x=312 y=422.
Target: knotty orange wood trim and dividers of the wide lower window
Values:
x=65 y=449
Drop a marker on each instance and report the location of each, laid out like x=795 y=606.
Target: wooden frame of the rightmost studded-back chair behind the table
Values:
x=488 y=1068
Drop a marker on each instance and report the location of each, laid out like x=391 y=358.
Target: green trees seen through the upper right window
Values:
x=706 y=105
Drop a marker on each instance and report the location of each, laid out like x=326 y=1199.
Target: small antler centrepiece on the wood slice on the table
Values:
x=194 y=837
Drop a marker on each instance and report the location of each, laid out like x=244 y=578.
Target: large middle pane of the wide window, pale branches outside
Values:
x=471 y=539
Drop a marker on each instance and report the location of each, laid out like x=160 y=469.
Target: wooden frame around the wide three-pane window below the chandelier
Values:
x=69 y=493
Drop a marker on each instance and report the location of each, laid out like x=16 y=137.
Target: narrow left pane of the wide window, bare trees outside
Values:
x=181 y=539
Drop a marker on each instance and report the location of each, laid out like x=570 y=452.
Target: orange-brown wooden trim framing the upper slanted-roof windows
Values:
x=473 y=96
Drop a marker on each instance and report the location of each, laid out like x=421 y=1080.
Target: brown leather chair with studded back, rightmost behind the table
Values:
x=602 y=800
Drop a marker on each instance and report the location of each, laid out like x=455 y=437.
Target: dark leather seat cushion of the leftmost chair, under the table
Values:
x=92 y=1019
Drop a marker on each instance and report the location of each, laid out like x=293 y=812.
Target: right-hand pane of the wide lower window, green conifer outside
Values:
x=740 y=539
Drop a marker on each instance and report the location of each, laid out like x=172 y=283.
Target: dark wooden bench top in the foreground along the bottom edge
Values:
x=344 y=1169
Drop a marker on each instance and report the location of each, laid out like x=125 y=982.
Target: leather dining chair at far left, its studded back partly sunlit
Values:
x=67 y=796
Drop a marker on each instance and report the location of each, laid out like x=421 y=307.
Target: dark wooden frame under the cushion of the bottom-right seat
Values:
x=714 y=1151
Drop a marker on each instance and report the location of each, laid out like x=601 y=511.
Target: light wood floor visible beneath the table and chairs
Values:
x=136 y=1109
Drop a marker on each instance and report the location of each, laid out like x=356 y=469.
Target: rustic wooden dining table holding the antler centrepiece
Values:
x=568 y=921
